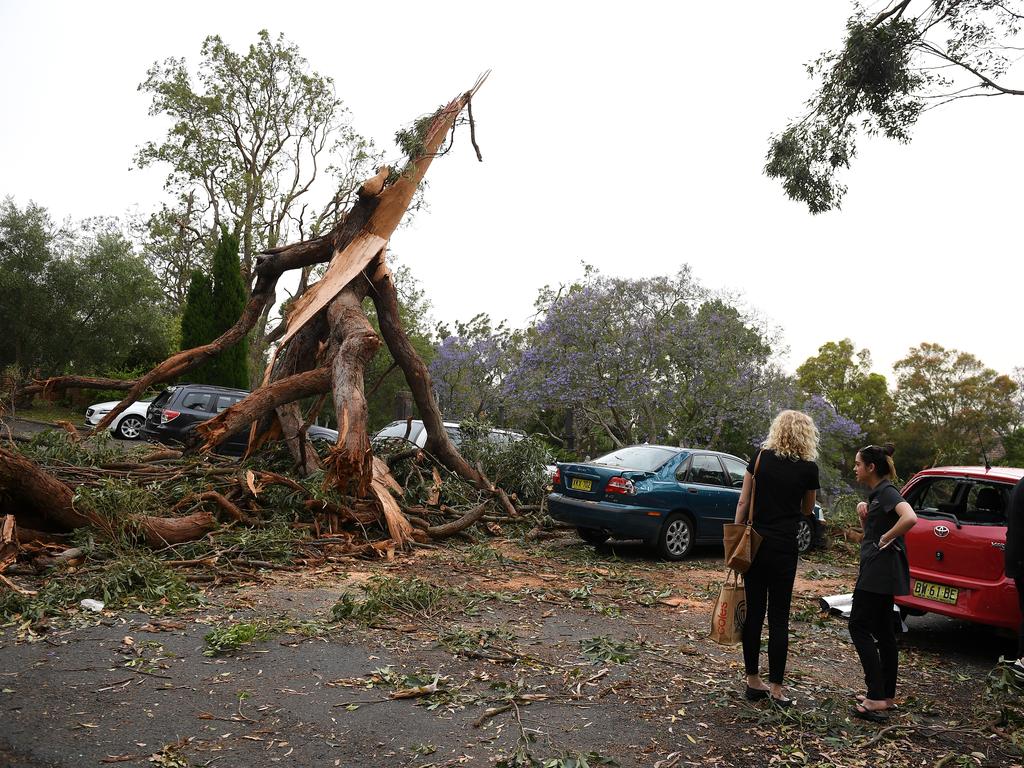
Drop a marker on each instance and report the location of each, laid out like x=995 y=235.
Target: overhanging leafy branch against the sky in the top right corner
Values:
x=912 y=57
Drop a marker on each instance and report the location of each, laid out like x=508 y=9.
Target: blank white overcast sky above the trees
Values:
x=630 y=136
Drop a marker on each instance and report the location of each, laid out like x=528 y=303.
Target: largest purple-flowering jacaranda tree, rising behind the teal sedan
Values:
x=653 y=359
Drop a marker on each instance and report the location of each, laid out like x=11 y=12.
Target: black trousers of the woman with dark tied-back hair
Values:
x=874 y=632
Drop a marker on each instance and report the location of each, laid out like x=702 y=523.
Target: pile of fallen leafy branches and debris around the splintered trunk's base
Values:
x=157 y=523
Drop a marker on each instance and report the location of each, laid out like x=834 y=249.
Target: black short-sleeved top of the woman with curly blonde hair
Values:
x=782 y=485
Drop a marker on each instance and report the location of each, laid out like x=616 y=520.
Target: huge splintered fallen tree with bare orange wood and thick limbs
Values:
x=323 y=348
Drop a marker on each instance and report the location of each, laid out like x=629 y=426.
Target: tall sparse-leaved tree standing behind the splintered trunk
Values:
x=251 y=137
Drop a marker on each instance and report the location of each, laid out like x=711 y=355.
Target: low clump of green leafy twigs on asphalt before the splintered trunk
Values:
x=396 y=596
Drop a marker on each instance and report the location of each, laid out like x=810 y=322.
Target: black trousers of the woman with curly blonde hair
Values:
x=770 y=590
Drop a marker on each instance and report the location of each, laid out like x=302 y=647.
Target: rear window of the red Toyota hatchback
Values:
x=964 y=500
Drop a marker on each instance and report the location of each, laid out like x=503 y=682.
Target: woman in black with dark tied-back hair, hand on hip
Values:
x=884 y=573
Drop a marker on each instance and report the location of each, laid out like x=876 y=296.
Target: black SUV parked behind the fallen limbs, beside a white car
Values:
x=176 y=413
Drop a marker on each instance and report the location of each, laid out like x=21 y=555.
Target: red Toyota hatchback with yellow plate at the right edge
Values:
x=957 y=548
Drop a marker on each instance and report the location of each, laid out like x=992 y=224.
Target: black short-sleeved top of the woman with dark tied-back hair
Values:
x=885 y=572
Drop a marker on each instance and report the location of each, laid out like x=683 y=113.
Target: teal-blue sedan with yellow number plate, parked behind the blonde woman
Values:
x=671 y=498
